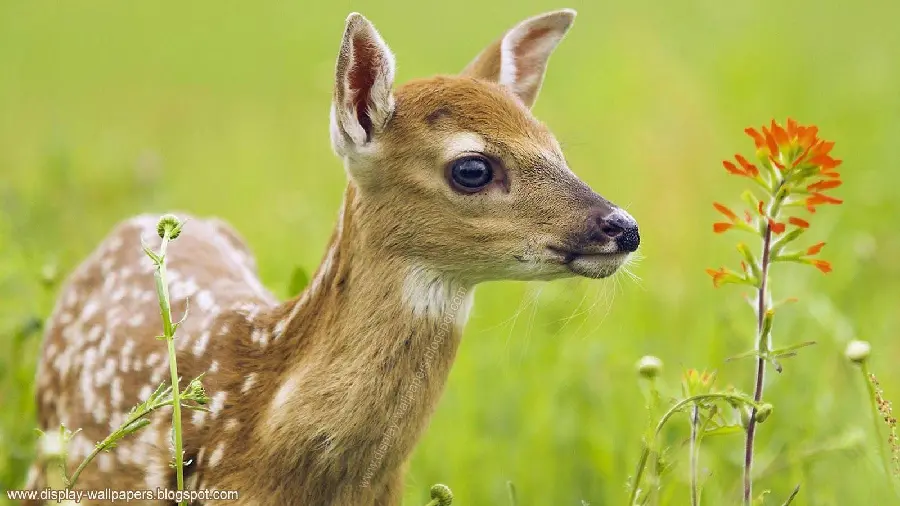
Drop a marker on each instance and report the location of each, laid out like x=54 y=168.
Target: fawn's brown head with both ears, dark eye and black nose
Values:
x=455 y=175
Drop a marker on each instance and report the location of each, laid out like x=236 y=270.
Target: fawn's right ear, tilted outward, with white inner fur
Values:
x=519 y=59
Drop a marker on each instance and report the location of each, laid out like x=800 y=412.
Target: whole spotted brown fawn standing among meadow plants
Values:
x=321 y=399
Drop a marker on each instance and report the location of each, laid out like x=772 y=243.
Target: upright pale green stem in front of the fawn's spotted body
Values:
x=165 y=307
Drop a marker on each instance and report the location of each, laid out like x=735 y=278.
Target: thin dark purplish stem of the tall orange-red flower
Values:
x=761 y=347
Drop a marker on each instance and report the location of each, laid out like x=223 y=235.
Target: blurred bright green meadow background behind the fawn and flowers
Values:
x=109 y=109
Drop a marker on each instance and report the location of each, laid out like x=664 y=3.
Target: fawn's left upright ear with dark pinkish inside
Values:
x=363 y=100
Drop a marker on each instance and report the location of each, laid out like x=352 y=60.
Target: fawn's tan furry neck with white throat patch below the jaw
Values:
x=369 y=345
